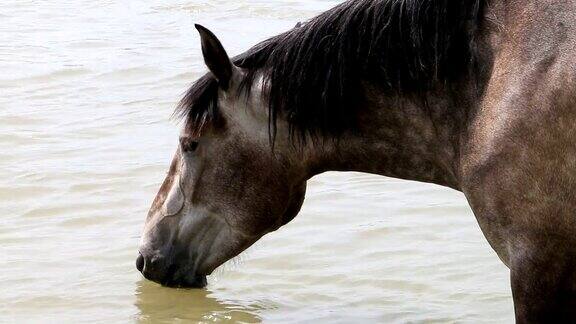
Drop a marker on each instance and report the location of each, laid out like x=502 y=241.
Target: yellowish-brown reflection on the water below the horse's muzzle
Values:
x=159 y=304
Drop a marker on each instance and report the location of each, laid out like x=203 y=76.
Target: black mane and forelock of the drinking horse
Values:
x=314 y=71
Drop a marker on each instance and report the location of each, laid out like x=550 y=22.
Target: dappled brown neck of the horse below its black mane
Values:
x=402 y=139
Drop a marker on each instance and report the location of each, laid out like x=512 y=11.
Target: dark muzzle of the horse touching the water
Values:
x=168 y=274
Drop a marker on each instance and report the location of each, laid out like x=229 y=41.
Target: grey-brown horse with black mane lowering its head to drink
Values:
x=475 y=95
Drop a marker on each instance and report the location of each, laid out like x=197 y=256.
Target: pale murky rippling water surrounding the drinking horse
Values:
x=86 y=92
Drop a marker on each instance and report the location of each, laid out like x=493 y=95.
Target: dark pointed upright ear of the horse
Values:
x=215 y=57
